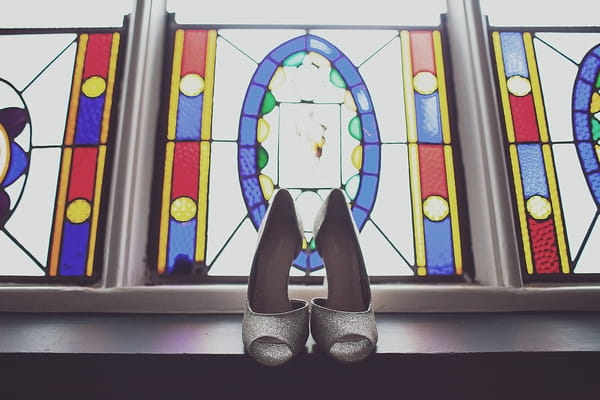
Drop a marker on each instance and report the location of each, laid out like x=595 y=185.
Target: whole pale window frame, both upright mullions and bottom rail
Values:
x=123 y=287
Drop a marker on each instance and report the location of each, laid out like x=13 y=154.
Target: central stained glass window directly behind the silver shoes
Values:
x=252 y=110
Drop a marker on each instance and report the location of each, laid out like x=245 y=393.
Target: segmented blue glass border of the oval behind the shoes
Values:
x=258 y=101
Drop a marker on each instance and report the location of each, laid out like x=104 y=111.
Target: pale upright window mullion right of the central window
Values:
x=493 y=237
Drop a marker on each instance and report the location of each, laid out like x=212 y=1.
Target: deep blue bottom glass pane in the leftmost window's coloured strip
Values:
x=74 y=249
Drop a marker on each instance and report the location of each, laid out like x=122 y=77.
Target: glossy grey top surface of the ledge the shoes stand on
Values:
x=399 y=333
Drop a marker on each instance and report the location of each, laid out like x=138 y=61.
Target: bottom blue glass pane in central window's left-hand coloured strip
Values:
x=182 y=243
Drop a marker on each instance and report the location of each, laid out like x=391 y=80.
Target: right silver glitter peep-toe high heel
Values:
x=343 y=324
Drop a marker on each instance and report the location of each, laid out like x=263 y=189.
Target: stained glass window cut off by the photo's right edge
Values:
x=549 y=87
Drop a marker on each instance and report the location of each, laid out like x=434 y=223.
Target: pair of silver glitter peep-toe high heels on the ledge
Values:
x=275 y=328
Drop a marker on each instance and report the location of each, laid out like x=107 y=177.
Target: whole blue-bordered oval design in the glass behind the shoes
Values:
x=303 y=78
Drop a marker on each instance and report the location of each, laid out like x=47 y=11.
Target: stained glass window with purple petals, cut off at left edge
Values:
x=58 y=90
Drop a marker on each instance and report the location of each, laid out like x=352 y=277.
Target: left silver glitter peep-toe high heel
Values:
x=275 y=328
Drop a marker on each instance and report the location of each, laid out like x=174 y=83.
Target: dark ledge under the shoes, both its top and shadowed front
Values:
x=422 y=355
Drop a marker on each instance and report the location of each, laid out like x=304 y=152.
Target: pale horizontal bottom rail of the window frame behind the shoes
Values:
x=227 y=299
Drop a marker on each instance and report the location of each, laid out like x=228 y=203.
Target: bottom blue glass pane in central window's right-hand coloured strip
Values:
x=438 y=247
